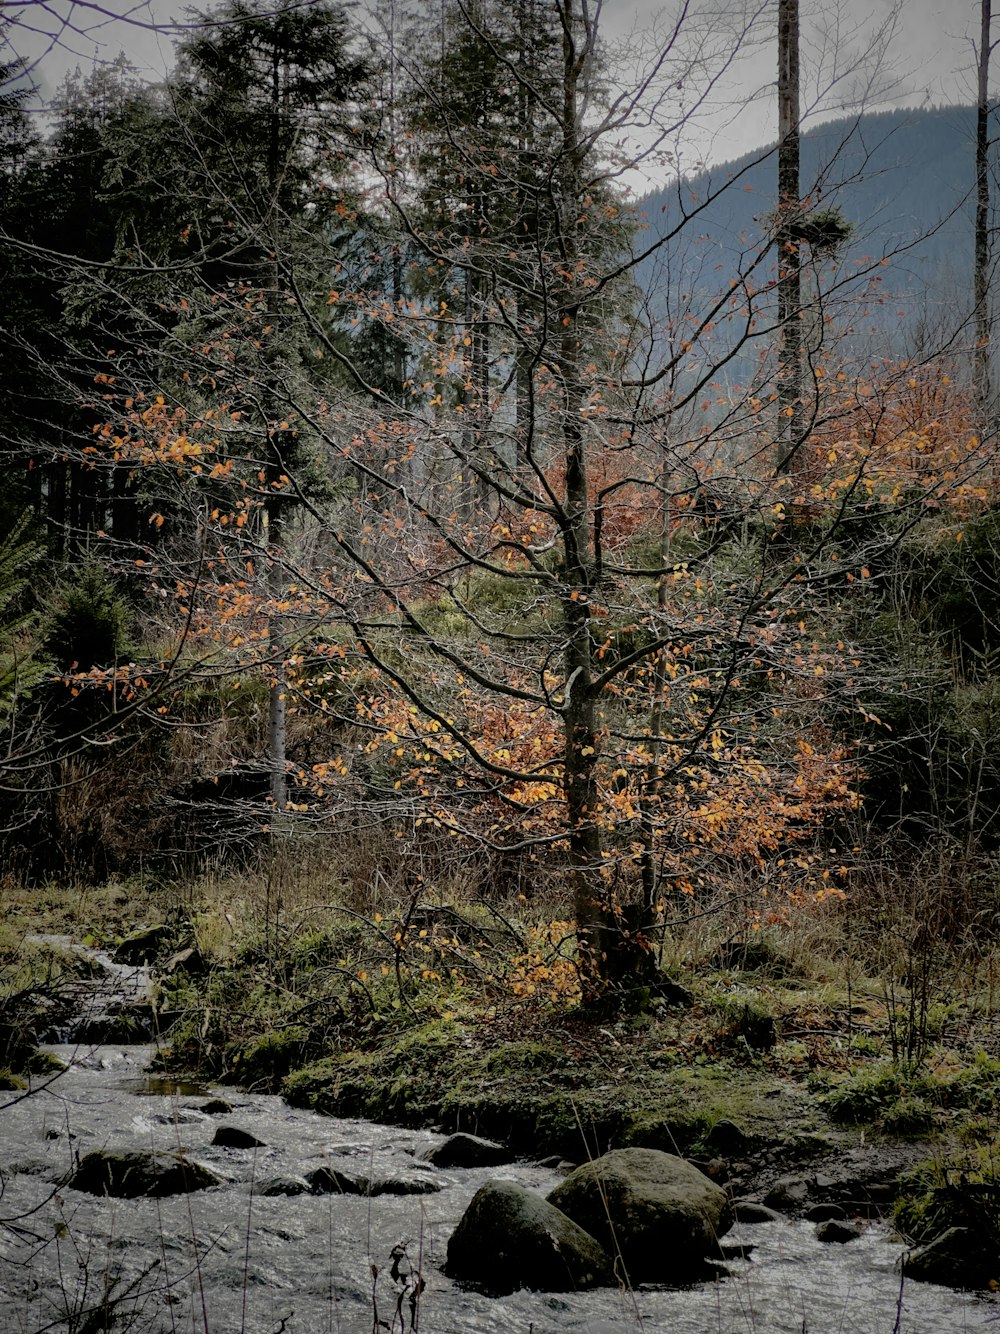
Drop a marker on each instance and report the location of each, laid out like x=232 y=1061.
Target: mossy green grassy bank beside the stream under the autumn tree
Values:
x=465 y=1016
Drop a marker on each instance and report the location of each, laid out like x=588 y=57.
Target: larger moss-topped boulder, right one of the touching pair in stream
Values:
x=654 y=1211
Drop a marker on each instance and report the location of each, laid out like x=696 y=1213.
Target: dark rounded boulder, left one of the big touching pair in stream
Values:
x=511 y=1239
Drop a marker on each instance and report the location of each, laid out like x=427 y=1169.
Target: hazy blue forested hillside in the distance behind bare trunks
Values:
x=906 y=182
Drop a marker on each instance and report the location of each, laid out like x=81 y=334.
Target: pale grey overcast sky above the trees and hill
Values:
x=929 y=57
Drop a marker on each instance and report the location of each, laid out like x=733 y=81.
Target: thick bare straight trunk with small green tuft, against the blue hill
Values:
x=790 y=281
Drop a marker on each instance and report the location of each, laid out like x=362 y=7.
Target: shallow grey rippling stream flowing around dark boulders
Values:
x=233 y=1260
